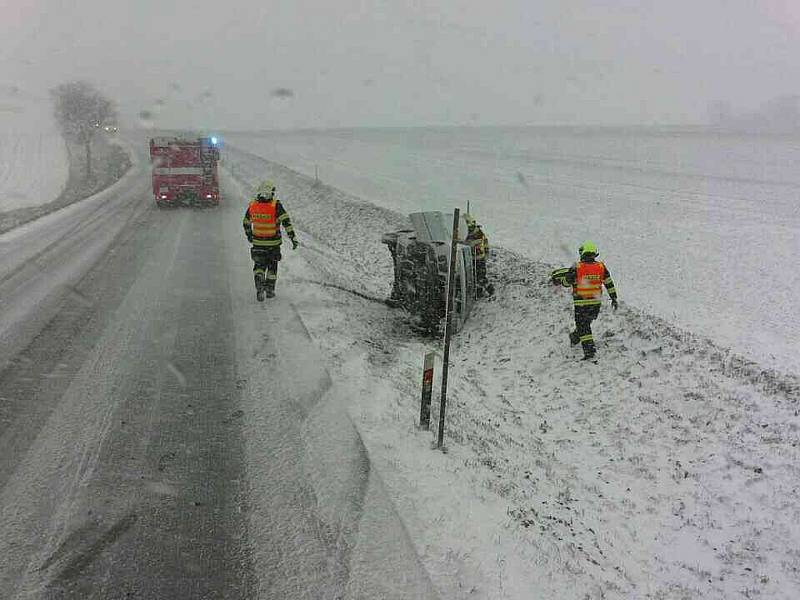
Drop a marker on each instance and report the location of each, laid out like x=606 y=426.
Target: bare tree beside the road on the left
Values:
x=81 y=111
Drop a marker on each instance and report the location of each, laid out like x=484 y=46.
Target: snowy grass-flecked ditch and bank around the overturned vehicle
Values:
x=668 y=470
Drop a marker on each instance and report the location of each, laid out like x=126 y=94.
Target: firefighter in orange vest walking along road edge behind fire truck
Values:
x=262 y=225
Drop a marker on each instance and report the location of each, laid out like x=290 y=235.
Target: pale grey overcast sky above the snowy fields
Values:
x=407 y=62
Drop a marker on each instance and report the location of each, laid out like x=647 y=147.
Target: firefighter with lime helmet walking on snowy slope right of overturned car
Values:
x=587 y=278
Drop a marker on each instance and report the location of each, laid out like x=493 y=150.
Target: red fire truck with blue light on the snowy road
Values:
x=185 y=171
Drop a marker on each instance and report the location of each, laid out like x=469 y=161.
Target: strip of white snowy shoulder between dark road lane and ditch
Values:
x=320 y=521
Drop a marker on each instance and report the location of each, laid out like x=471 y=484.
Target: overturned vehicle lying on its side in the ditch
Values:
x=421 y=260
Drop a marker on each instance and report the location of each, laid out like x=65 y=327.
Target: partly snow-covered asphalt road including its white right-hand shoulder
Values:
x=164 y=436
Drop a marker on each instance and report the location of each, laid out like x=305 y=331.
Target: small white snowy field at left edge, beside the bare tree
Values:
x=33 y=157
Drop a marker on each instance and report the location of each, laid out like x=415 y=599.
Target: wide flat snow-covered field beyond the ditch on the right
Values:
x=697 y=228
